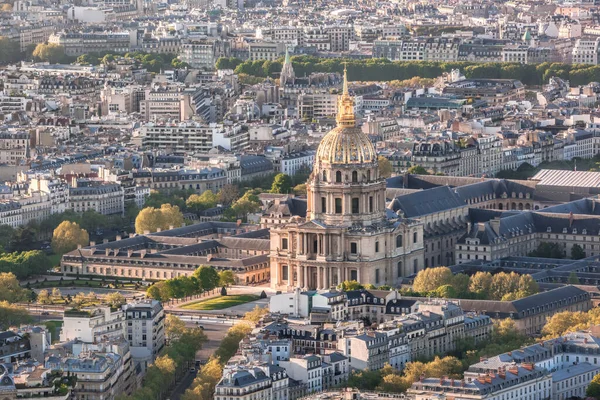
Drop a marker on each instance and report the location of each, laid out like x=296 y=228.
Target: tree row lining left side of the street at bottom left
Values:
x=183 y=343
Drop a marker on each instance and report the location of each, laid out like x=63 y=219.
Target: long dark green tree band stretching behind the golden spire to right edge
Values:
x=378 y=69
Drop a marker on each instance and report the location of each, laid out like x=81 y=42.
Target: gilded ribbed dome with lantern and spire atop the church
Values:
x=346 y=143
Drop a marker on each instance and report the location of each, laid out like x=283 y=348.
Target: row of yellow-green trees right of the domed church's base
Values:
x=441 y=282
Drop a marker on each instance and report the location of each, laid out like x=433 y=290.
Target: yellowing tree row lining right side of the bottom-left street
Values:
x=203 y=387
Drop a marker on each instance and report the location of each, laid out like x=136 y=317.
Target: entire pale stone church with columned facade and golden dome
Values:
x=347 y=232
